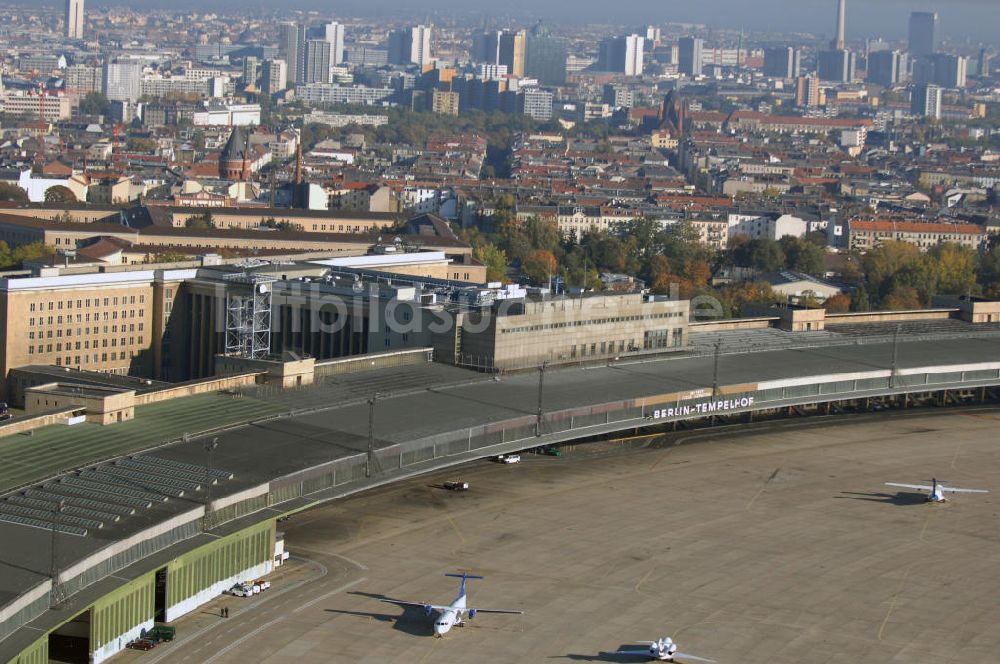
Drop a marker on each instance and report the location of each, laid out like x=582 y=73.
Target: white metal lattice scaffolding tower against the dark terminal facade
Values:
x=248 y=315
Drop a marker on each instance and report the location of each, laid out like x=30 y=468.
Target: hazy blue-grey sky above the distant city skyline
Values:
x=962 y=21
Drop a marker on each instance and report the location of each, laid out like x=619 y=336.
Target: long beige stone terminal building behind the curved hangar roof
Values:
x=172 y=324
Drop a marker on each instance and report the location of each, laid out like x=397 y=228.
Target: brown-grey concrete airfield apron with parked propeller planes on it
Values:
x=767 y=544
